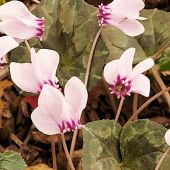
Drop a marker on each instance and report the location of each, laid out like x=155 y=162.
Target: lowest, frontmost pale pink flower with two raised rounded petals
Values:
x=57 y=113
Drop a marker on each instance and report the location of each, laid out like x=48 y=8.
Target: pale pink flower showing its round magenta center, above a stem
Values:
x=123 y=80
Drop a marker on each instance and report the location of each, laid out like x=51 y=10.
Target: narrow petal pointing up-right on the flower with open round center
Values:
x=141 y=67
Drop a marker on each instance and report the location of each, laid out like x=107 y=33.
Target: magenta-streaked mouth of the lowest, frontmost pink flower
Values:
x=66 y=126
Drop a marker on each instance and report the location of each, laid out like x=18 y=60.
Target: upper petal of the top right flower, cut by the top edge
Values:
x=130 y=9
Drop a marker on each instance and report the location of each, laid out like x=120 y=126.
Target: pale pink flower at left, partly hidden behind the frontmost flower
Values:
x=30 y=77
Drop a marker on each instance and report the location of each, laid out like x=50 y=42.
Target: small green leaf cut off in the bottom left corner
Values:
x=11 y=161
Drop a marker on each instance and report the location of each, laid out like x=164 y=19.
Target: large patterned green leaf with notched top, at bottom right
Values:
x=139 y=145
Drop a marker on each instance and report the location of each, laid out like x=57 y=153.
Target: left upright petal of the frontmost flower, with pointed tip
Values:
x=51 y=102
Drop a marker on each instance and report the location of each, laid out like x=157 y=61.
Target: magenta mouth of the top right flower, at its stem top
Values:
x=103 y=14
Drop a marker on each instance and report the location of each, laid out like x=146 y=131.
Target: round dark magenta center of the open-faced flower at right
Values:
x=121 y=87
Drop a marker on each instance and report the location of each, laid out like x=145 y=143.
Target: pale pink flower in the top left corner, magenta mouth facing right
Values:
x=18 y=22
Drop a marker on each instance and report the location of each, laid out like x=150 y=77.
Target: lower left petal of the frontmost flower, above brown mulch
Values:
x=44 y=123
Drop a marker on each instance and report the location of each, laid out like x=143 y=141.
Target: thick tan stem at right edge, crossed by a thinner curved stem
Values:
x=161 y=84
